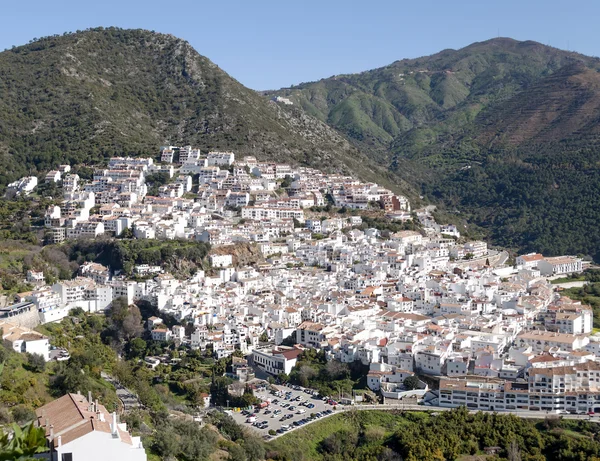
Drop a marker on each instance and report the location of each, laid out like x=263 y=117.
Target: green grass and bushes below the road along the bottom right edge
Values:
x=411 y=436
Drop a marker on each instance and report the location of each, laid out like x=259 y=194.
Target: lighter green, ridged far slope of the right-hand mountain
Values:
x=410 y=98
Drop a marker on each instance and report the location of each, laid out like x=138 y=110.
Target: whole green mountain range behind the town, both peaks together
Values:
x=502 y=133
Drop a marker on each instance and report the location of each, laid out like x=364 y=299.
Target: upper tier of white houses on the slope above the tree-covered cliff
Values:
x=200 y=192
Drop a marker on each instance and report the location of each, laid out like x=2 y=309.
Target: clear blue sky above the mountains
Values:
x=274 y=43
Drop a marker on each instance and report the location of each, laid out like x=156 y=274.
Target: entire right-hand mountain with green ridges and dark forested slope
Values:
x=502 y=132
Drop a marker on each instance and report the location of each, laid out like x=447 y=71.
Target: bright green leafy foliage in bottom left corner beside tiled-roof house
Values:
x=23 y=444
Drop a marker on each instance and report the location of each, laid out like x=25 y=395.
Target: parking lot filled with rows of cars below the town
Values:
x=295 y=408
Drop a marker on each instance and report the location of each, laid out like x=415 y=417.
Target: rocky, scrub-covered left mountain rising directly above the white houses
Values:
x=83 y=97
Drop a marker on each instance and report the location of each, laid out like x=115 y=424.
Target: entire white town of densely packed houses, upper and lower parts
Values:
x=407 y=303
